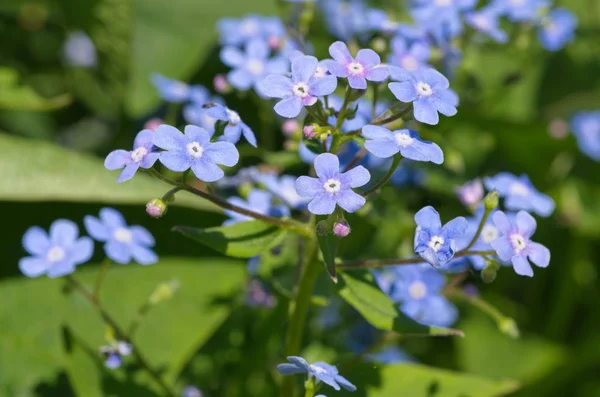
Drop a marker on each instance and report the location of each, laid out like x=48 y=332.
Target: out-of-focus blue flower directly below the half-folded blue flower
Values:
x=418 y=289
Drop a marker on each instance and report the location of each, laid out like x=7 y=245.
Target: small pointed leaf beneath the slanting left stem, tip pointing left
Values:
x=241 y=240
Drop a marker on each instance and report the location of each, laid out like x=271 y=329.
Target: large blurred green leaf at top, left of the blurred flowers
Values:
x=173 y=37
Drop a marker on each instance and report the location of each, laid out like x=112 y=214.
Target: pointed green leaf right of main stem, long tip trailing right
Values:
x=379 y=310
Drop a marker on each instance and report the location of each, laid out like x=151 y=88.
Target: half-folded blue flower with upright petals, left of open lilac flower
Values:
x=434 y=243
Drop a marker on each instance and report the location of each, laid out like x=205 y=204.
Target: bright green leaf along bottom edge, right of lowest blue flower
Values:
x=415 y=380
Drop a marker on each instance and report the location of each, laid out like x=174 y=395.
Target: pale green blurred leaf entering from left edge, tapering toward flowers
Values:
x=34 y=170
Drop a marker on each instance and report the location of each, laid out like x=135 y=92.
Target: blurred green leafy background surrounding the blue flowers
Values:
x=57 y=123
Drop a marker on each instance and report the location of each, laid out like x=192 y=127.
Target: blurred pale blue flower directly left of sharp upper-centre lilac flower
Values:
x=252 y=66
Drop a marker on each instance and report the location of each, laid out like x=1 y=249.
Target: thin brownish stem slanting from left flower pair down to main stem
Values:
x=295 y=226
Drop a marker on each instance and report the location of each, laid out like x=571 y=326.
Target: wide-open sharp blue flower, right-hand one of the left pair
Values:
x=194 y=150
